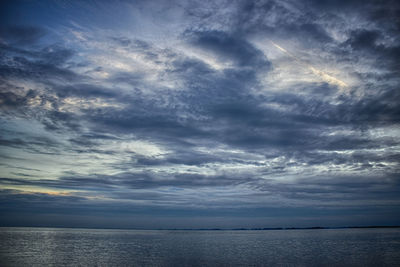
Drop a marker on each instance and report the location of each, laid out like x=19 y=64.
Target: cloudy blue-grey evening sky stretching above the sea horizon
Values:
x=199 y=114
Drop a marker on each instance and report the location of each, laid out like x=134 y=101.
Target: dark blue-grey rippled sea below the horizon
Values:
x=87 y=247
